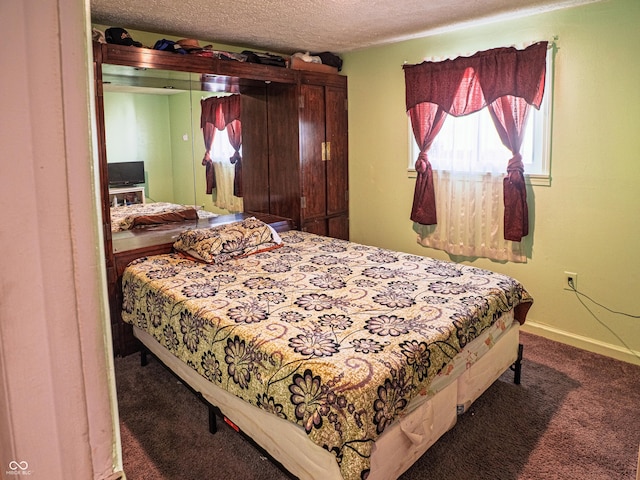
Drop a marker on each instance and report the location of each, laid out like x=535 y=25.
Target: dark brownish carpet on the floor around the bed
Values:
x=575 y=416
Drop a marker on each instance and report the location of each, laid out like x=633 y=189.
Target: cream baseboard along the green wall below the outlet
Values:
x=585 y=343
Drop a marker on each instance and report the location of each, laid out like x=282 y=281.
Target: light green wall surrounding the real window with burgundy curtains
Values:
x=587 y=221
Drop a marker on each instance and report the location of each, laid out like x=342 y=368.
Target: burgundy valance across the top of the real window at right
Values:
x=482 y=77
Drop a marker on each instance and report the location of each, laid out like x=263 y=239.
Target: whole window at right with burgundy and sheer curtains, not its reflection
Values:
x=465 y=204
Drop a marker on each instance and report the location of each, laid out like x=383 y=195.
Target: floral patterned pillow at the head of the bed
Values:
x=224 y=242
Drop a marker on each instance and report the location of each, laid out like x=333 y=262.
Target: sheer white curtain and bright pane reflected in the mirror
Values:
x=225 y=172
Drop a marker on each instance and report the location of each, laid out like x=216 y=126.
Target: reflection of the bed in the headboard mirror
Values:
x=126 y=217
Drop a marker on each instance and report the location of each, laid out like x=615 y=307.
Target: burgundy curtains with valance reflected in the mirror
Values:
x=217 y=113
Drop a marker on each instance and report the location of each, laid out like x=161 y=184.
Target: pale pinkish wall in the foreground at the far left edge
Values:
x=56 y=415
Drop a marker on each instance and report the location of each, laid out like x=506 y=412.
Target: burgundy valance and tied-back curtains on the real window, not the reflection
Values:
x=465 y=85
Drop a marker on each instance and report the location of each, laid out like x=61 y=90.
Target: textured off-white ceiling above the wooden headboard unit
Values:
x=286 y=26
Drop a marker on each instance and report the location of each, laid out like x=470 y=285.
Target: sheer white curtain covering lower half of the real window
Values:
x=470 y=212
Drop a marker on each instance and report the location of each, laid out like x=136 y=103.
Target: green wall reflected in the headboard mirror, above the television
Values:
x=164 y=132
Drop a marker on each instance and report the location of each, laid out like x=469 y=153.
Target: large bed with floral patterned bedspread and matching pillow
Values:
x=341 y=360
